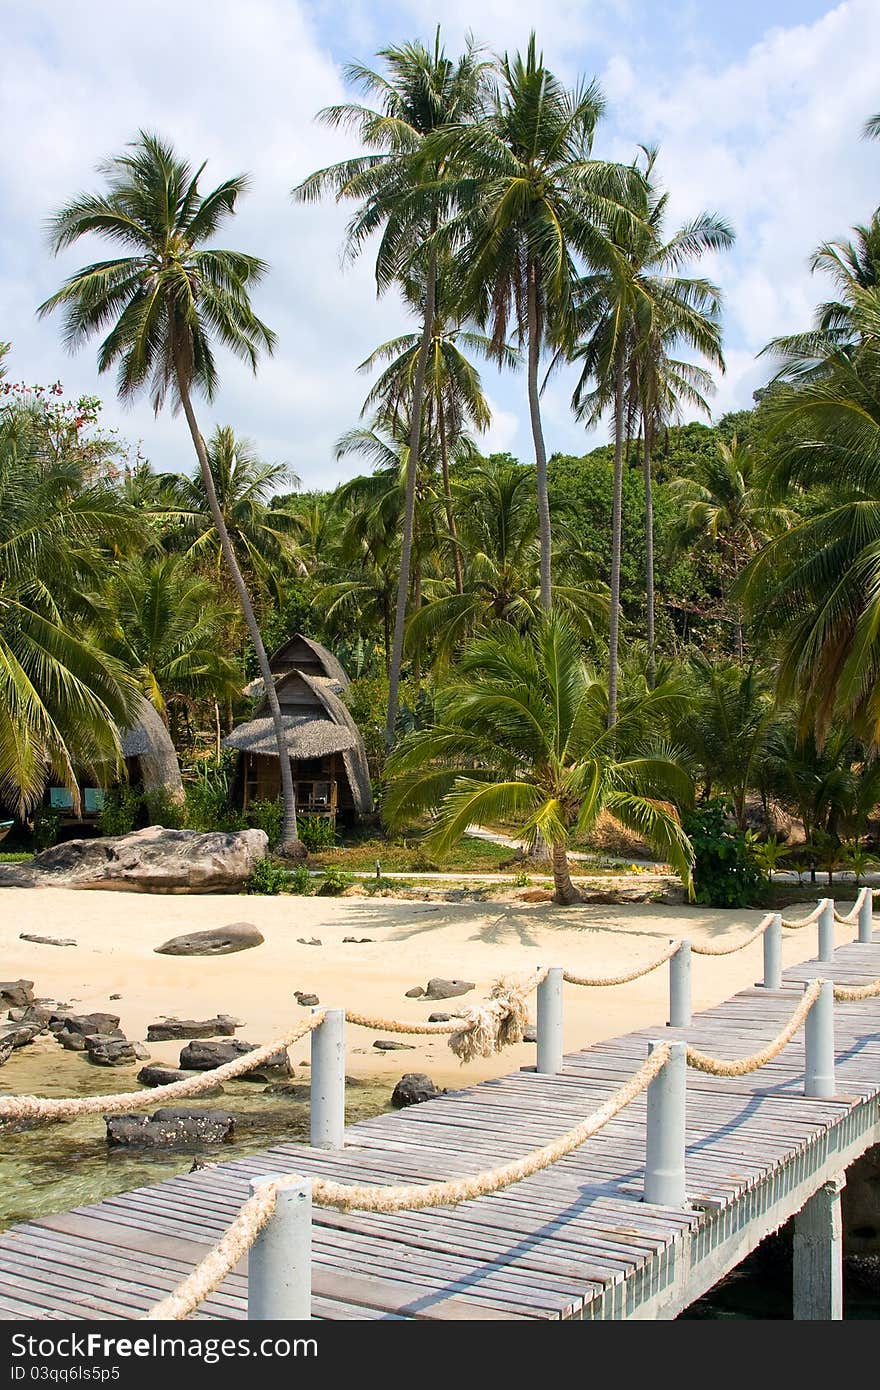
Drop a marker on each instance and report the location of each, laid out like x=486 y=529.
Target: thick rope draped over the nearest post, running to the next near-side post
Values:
x=256 y=1211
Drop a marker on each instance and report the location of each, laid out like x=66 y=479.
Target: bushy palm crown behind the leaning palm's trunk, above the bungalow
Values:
x=263 y=537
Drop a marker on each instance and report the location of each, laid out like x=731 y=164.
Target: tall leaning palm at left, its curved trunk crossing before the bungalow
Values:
x=166 y=306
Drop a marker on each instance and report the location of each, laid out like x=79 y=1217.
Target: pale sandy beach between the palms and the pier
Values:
x=116 y=933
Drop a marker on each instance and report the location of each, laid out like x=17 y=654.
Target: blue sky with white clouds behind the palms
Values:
x=757 y=108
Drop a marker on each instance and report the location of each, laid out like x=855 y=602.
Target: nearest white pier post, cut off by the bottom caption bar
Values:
x=280 y=1260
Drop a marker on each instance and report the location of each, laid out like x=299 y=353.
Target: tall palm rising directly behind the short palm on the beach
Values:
x=536 y=202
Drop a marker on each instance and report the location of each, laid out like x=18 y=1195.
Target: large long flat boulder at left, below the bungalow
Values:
x=148 y=861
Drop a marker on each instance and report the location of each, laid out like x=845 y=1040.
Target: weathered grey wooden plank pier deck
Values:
x=575 y=1242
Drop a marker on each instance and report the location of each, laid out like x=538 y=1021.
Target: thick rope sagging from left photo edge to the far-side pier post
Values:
x=66 y=1109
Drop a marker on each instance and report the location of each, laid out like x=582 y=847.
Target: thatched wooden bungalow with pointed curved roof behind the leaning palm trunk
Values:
x=327 y=753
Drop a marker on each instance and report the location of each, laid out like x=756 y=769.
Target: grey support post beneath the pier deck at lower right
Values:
x=818 y=1285
